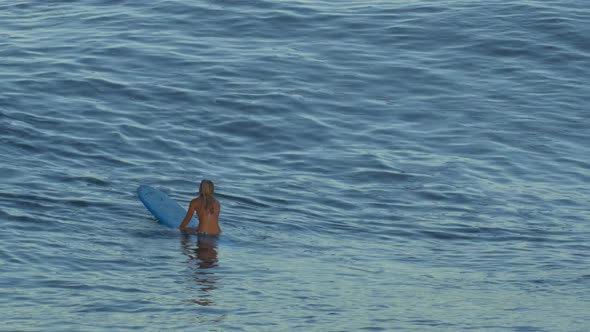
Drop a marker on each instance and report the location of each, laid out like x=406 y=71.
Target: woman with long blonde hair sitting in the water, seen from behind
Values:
x=207 y=208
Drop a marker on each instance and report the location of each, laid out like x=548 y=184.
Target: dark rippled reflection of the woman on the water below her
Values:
x=204 y=258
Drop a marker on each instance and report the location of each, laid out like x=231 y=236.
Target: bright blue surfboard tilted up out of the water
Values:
x=165 y=209
